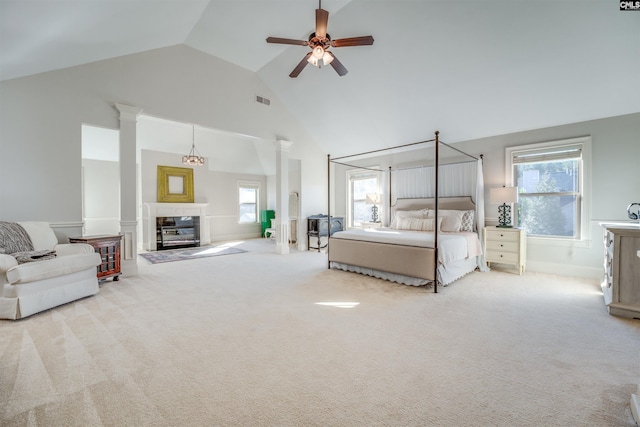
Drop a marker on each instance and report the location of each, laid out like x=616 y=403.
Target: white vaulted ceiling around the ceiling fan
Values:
x=470 y=69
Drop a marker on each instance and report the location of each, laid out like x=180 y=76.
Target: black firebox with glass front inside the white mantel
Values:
x=177 y=232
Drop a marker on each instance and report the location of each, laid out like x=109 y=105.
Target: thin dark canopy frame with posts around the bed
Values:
x=436 y=154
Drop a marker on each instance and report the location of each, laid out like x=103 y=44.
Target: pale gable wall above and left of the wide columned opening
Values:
x=42 y=117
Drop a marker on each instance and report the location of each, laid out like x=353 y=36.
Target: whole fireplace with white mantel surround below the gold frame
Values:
x=175 y=232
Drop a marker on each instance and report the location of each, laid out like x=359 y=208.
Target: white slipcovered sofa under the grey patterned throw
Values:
x=31 y=287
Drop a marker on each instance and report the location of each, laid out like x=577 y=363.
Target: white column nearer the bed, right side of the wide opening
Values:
x=282 y=196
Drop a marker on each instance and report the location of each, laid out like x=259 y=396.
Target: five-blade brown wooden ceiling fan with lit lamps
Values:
x=320 y=42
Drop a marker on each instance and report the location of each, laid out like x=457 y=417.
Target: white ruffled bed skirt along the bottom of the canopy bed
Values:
x=446 y=275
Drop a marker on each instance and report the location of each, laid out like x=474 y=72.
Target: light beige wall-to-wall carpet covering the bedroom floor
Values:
x=242 y=341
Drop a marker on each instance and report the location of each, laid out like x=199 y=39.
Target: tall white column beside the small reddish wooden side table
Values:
x=128 y=211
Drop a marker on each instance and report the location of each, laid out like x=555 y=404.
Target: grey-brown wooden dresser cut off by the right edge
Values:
x=621 y=280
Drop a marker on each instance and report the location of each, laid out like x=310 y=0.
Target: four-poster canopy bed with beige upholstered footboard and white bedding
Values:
x=406 y=251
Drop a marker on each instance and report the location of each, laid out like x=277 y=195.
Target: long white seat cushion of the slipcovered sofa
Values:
x=59 y=266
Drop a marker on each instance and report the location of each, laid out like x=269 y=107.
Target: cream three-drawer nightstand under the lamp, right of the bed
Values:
x=506 y=246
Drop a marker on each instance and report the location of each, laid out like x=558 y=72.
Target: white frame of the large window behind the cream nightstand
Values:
x=583 y=239
